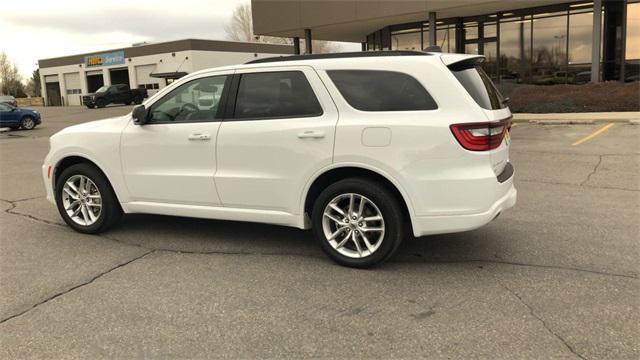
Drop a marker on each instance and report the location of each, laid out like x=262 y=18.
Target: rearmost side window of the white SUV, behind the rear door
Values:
x=371 y=90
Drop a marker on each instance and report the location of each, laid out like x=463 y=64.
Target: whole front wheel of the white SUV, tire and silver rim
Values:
x=86 y=200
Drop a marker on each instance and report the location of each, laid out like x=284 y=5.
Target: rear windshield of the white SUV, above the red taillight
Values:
x=478 y=84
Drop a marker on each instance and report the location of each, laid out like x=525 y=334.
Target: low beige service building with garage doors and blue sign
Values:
x=151 y=66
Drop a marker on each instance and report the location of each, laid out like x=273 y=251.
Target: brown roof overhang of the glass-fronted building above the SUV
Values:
x=353 y=20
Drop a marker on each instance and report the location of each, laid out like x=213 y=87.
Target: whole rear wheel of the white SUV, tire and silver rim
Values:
x=358 y=222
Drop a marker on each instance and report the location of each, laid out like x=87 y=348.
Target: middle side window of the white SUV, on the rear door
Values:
x=283 y=94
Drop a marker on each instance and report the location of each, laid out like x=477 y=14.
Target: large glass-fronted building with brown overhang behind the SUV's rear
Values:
x=534 y=41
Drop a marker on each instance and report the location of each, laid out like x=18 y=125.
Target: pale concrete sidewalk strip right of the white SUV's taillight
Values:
x=579 y=118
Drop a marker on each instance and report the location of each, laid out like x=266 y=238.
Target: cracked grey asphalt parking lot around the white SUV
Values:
x=555 y=277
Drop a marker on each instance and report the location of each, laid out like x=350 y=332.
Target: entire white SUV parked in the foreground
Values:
x=361 y=147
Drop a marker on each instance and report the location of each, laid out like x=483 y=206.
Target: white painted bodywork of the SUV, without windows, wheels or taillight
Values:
x=261 y=170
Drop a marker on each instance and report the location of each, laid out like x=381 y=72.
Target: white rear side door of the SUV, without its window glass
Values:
x=261 y=162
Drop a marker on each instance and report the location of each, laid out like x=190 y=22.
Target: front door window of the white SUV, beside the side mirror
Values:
x=197 y=100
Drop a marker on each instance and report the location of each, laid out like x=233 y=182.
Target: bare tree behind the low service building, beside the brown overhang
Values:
x=240 y=28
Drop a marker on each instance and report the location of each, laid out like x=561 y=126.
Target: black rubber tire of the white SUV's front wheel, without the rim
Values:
x=111 y=211
